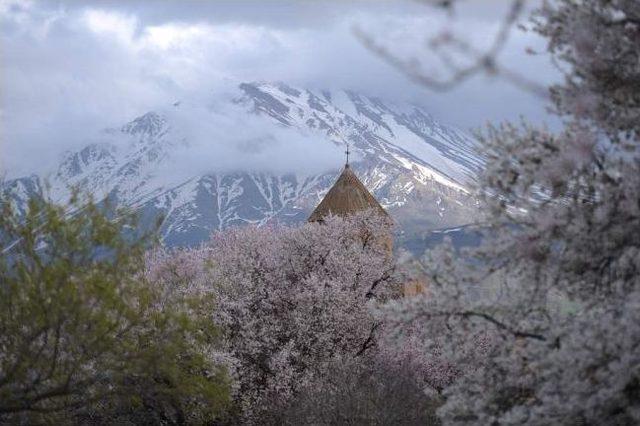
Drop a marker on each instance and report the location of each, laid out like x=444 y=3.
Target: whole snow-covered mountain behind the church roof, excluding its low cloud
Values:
x=416 y=167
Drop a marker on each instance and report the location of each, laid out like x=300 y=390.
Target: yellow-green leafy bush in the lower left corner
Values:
x=84 y=335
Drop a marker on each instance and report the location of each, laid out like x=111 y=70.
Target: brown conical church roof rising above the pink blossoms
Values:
x=347 y=196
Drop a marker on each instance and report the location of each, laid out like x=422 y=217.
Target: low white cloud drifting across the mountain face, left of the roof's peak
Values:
x=228 y=138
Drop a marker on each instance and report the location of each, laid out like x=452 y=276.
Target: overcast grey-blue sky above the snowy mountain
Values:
x=68 y=67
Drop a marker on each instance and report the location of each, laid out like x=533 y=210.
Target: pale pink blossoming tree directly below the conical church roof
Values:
x=290 y=299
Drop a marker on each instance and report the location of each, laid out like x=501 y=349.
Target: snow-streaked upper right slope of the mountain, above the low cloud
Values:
x=374 y=128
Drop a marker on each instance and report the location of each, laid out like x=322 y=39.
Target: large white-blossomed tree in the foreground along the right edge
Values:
x=554 y=291
